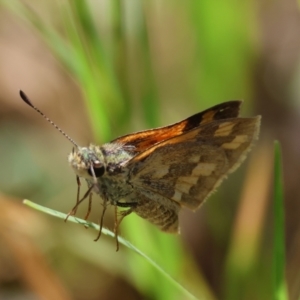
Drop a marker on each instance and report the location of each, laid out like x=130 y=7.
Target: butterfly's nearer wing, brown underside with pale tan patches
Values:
x=189 y=167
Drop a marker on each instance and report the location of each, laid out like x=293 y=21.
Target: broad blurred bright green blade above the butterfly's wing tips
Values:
x=213 y=25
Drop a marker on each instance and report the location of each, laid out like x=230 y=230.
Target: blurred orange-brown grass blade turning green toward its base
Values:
x=244 y=256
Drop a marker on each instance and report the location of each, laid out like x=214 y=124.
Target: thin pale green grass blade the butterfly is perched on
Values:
x=111 y=234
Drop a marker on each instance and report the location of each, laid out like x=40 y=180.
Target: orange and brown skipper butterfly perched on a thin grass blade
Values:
x=157 y=172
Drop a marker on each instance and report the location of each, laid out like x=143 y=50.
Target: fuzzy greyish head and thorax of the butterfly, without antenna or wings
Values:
x=103 y=167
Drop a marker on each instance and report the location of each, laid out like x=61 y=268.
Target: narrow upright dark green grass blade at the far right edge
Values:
x=279 y=283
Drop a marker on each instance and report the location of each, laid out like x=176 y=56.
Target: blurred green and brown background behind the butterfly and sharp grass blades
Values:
x=104 y=68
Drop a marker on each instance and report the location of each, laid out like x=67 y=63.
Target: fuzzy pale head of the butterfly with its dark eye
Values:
x=87 y=162
